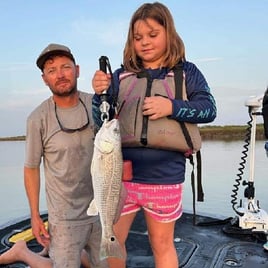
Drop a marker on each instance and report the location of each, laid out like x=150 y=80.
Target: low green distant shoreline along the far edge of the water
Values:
x=226 y=133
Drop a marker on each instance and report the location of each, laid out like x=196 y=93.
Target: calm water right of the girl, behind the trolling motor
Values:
x=220 y=163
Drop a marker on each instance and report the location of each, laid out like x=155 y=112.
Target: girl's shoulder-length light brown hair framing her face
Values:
x=175 y=47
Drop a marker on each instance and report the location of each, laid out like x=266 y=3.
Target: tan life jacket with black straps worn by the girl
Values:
x=164 y=133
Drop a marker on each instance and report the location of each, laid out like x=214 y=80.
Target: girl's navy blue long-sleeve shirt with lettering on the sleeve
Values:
x=155 y=166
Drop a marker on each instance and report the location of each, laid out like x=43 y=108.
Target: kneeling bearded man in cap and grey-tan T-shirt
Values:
x=60 y=133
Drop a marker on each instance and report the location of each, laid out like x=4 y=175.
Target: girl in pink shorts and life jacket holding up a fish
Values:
x=153 y=48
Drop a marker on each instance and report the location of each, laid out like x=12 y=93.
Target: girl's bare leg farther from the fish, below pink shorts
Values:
x=161 y=236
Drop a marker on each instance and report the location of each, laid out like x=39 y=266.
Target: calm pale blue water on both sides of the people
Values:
x=220 y=163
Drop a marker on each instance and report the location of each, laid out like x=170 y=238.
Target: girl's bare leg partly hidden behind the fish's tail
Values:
x=121 y=230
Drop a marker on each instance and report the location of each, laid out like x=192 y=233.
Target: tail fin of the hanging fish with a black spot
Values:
x=111 y=248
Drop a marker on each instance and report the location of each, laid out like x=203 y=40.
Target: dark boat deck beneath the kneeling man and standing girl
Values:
x=212 y=243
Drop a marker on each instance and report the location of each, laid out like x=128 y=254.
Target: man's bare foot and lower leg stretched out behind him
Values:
x=20 y=253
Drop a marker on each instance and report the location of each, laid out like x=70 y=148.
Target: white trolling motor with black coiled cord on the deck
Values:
x=251 y=216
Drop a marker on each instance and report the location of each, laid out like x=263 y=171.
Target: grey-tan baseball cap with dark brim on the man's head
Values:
x=53 y=49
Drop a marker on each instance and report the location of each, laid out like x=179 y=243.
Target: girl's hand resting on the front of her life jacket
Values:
x=157 y=107
